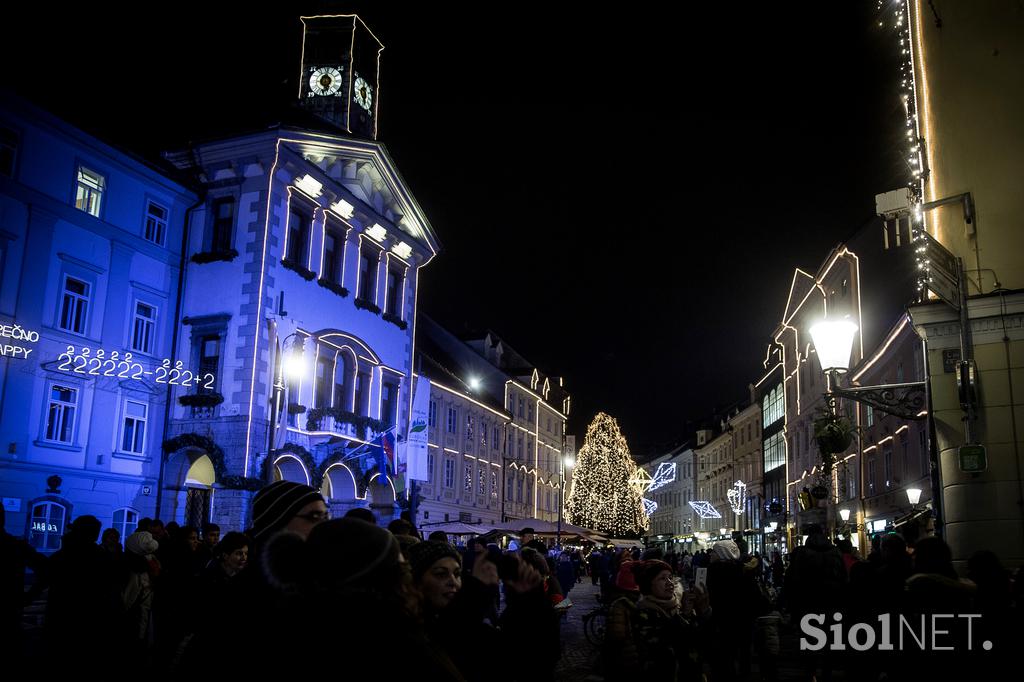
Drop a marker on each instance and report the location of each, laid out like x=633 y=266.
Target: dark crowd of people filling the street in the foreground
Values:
x=302 y=589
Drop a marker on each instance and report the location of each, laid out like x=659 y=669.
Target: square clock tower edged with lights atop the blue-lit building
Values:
x=340 y=72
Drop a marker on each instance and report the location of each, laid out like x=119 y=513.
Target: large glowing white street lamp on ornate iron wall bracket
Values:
x=834 y=344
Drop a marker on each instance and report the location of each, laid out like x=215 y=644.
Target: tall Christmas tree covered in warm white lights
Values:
x=604 y=497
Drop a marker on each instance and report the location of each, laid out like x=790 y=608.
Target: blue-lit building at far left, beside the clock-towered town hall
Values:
x=91 y=251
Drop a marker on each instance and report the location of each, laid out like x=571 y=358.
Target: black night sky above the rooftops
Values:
x=622 y=196
